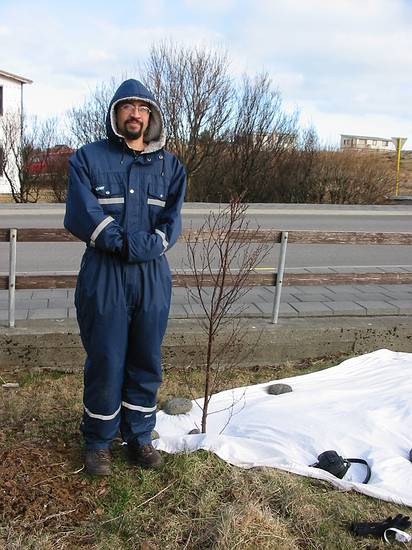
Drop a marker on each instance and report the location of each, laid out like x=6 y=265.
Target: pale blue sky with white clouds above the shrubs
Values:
x=346 y=65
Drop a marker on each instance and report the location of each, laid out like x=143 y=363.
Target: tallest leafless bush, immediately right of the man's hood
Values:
x=194 y=88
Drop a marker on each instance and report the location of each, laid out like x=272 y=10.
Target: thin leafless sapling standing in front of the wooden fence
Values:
x=221 y=256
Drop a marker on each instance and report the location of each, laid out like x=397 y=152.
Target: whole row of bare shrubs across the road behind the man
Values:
x=236 y=138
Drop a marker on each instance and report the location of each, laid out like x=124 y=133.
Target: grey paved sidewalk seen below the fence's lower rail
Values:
x=296 y=302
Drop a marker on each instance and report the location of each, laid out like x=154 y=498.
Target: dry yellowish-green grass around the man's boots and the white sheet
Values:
x=194 y=501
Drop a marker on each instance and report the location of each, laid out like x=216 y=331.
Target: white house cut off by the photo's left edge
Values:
x=11 y=101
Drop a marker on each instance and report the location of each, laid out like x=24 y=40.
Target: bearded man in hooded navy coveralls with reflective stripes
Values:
x=124 y=200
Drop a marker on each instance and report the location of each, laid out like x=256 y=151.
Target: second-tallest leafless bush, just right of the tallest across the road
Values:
x=258 y=137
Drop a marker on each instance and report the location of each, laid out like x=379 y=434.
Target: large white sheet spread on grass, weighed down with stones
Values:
x=361 y=408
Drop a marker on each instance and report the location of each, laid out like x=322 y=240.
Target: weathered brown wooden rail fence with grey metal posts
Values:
x=14 y=281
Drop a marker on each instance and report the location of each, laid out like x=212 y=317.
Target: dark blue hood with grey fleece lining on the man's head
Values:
x=155 y=135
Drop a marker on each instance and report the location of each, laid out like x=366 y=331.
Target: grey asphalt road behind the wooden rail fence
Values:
x=398 y=218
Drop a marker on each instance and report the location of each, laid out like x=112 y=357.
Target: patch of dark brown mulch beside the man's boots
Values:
x=43 y=490
